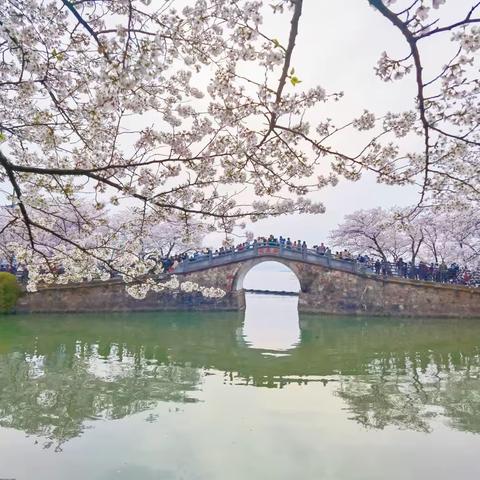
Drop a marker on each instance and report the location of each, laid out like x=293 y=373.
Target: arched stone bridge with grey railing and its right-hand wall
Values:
x=329 y=285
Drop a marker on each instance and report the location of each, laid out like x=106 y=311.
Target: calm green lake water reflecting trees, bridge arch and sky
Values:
x=261 y=395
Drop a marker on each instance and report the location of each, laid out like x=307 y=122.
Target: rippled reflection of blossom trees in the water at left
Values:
x=52 y=395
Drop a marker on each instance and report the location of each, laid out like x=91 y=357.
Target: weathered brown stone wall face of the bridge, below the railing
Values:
x=323 y=290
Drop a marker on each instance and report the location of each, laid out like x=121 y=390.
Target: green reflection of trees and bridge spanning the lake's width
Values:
x=59 y=373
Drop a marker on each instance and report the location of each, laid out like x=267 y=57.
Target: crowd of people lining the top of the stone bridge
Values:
x=433 y=272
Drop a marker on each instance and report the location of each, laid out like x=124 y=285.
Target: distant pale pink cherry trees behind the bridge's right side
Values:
x=431 y=235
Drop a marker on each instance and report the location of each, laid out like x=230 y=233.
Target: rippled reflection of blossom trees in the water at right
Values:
x=408 y=395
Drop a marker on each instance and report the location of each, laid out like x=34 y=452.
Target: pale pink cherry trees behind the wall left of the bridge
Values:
x=111 y=238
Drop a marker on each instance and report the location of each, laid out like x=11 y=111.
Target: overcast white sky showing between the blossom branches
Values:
x=338 y=46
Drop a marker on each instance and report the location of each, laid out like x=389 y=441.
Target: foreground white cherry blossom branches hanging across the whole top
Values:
x=189 y=110
